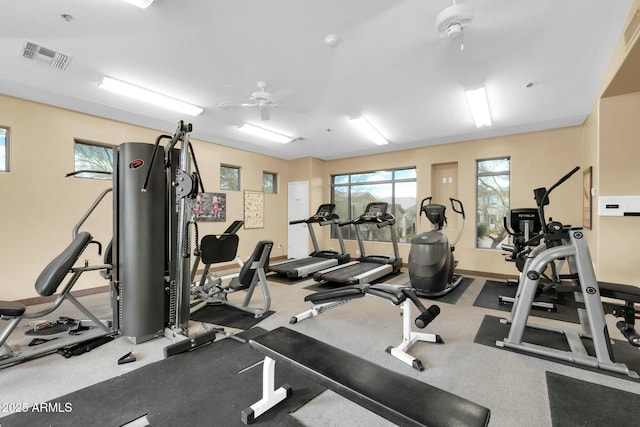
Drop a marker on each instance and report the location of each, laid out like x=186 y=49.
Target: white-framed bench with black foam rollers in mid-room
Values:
x=399 y=295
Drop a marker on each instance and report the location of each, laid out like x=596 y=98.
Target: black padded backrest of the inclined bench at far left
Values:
x=55 y=272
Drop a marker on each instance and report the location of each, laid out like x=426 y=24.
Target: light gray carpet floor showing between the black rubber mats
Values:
x=512 y=385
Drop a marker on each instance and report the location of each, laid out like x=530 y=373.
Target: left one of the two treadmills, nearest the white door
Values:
x=318 y=259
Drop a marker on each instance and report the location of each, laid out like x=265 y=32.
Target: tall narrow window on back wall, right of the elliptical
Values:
x=492 y=202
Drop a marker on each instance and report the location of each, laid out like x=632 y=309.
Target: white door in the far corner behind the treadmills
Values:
x=298 y=246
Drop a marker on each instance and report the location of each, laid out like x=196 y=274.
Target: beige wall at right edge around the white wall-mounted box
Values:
x=612 y=147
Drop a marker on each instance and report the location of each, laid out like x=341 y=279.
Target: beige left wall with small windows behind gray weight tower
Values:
x=40 y=206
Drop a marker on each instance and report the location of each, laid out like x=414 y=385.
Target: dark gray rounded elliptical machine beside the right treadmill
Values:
x=431 y=260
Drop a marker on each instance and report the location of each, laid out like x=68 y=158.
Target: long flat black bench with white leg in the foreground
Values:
x=398 y=398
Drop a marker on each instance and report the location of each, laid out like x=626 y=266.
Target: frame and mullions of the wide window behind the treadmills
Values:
x=349 y=233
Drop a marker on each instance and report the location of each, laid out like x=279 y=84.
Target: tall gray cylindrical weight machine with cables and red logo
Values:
x=151 y=244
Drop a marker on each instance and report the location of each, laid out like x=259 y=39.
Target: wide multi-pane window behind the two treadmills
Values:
x=351 y=193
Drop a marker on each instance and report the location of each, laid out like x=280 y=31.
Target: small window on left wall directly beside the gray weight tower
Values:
x=94 y=158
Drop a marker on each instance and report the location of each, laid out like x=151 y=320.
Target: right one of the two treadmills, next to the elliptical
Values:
x=367 y=268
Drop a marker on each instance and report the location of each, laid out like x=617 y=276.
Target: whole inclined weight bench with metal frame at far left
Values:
x=47 y=284
